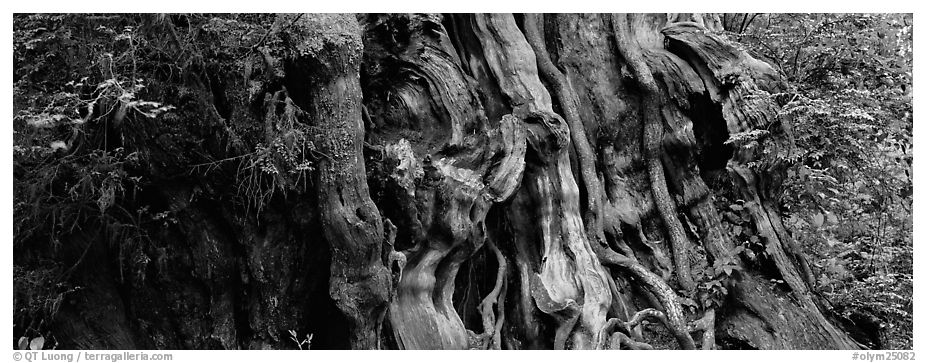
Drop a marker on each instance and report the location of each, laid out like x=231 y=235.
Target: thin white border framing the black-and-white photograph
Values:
x=478 y=6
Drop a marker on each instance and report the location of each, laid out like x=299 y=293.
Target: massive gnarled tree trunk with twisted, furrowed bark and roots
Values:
x=482 y=181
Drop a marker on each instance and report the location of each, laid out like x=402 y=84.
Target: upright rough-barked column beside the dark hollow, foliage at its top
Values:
x=329 y=62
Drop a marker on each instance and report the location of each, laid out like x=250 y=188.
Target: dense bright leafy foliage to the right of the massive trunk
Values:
x=849 y=197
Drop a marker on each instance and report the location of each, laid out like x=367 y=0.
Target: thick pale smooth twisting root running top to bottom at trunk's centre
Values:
x=571 y=285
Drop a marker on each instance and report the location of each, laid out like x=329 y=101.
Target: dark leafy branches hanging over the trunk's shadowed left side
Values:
x=90 y=93
